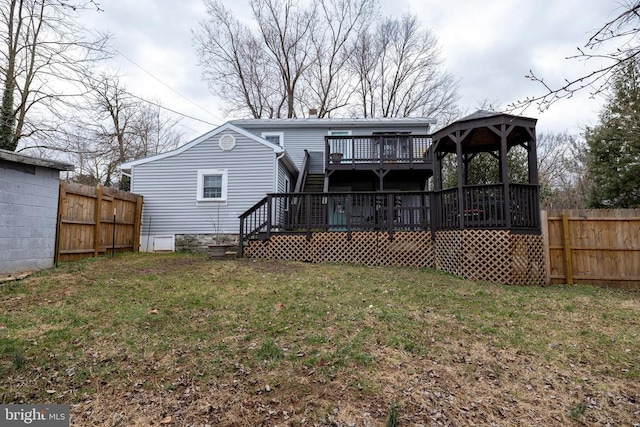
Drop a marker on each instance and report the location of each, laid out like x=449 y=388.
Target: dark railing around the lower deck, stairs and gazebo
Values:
x=483 y=206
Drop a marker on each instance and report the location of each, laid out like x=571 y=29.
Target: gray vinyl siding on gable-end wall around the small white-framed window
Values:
x=169 y=187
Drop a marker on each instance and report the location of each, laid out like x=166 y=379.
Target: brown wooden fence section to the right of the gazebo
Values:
x=598 y=247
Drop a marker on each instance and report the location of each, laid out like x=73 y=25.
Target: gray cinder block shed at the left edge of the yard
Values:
x=28 y=211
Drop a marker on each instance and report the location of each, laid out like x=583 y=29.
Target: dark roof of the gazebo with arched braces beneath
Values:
x=482 y=131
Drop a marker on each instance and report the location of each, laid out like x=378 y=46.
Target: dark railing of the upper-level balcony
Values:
x=376 y=149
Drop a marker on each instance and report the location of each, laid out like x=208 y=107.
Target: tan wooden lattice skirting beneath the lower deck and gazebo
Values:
x=489 y=255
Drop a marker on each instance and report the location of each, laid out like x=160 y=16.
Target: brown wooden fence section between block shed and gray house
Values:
x=94 y=221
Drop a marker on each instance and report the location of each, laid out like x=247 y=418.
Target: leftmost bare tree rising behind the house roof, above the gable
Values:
x=256 y=72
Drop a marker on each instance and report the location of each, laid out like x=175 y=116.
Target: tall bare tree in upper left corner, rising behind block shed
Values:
x=42 y=63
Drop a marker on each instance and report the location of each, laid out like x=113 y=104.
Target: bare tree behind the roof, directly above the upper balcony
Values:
x=399 y=71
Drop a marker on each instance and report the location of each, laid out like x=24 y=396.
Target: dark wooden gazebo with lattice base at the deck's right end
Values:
x=488 y=230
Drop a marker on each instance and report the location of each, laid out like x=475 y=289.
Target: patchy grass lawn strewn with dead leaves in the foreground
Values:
x=179 y=339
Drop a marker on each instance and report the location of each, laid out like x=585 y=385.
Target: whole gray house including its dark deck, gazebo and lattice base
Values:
x=353 y=190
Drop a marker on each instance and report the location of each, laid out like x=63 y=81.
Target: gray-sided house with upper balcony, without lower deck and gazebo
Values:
x=199 y=191
